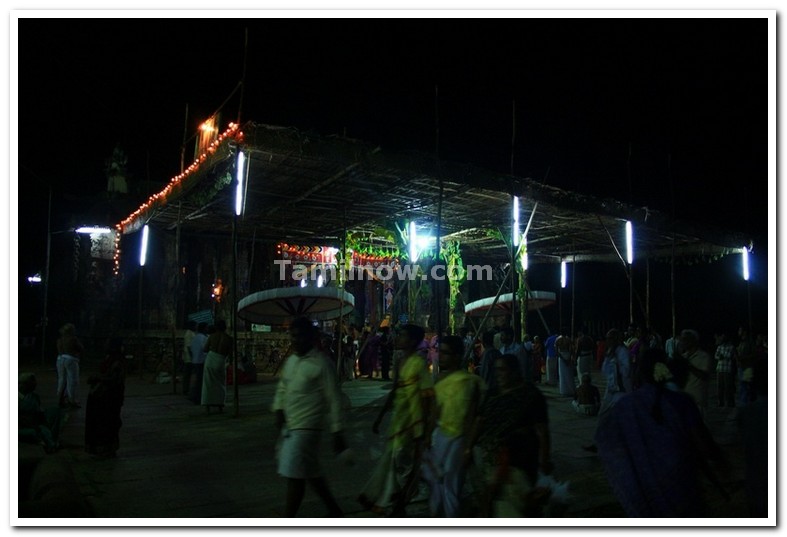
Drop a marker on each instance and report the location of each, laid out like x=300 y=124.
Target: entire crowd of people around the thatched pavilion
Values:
x=467 y=416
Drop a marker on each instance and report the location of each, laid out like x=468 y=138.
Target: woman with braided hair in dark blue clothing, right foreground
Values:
x=653 y=446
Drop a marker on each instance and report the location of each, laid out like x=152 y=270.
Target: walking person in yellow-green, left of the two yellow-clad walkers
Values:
x=395 y=477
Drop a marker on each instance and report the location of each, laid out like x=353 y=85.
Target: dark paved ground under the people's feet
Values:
x=176 y=461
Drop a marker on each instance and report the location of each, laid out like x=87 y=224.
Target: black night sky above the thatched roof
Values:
x=612 y=107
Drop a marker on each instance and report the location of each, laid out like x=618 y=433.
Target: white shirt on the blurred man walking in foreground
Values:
x=308 y=393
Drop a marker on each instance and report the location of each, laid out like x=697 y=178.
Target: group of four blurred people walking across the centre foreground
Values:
x=448 y=427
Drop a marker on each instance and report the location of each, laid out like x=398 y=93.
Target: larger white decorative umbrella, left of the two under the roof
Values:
x=281 y=305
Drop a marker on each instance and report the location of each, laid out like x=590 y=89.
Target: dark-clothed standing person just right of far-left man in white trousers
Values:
x=102 y=414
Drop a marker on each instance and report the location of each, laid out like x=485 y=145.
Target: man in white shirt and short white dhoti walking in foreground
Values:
x=306 y=395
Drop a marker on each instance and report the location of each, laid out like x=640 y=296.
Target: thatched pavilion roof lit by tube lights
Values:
x=309 y=189
